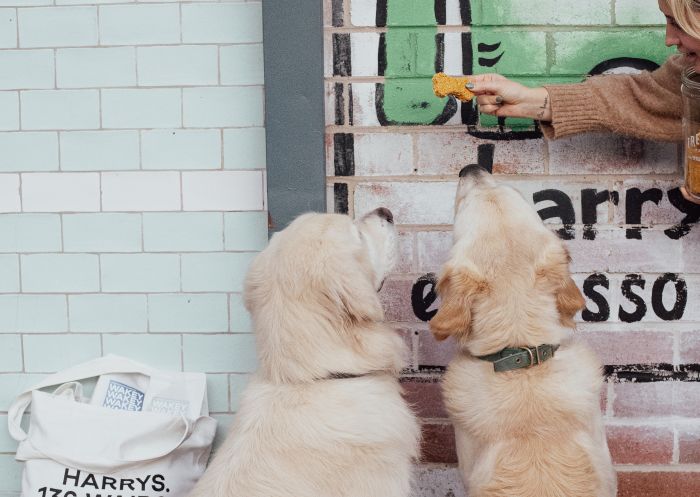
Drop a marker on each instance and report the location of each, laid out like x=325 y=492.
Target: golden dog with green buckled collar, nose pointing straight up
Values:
x=523 y=393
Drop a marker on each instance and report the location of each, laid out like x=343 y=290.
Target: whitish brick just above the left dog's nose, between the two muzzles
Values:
x=411 y=203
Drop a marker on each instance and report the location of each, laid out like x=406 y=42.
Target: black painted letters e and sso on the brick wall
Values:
x=423 y=298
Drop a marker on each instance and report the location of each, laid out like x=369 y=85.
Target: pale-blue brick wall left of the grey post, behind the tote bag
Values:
x=132 y=189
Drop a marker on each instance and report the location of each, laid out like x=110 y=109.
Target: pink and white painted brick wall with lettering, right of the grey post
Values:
x=633 y=240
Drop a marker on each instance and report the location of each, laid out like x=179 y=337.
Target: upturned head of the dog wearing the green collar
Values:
x=507 y=278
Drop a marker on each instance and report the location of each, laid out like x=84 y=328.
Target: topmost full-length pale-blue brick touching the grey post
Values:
x=222 y=23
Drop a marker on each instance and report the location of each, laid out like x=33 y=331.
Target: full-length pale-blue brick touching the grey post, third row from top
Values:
x=223 y=107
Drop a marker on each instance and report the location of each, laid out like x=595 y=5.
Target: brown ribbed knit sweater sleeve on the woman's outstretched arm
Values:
x=645 y=105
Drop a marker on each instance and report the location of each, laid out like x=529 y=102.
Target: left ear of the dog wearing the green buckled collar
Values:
x=457 y=288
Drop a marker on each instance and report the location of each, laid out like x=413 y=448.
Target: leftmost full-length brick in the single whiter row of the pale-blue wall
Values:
x=61 y=192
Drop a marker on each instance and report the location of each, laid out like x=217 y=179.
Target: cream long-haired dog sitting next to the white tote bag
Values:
x=323 y=416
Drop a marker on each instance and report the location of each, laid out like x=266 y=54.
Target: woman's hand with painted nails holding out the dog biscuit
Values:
x=499 y=96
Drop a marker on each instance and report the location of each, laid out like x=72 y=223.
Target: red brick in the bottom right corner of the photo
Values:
x=658 y=484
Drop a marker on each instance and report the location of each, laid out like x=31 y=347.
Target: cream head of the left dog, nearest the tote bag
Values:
x=313 y=290
